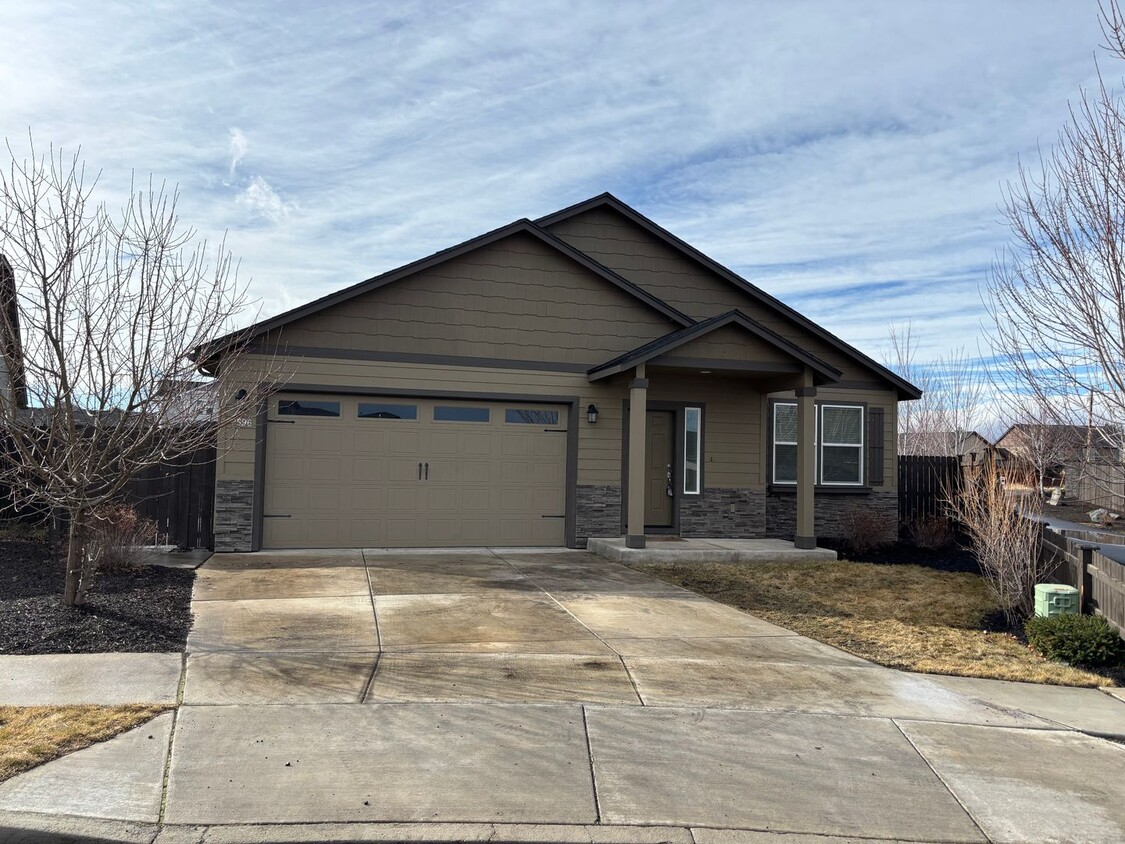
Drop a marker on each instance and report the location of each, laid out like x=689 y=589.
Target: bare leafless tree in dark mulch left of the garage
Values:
x=102 y=315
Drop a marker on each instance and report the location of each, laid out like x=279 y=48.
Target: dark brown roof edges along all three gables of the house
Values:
x=210 y=352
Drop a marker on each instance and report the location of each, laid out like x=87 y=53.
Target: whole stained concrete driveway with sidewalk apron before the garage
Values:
x=555 y=696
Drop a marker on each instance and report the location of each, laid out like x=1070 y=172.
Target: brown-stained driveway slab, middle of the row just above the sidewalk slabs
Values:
x=506 y=678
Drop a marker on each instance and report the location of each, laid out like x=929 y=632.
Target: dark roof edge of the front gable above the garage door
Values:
x=520 y=227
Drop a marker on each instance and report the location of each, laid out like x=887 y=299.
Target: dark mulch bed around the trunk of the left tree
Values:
x=142 y=612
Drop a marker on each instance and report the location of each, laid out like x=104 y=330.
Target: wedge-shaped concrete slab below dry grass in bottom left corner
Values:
x=121 y=779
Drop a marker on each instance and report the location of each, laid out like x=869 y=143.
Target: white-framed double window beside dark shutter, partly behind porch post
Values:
x=839 y=444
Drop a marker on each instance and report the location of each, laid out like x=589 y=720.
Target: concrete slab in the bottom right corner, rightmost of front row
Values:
x=1022 y=786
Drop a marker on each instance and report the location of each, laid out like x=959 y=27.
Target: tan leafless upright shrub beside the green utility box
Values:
x=1005 y=538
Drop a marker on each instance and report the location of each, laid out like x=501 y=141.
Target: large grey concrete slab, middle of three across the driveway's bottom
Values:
x=785 y=774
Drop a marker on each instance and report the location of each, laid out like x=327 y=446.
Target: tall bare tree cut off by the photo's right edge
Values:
x=1058 y=294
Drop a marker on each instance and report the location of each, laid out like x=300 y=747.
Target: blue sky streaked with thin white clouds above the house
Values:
x=845 y=157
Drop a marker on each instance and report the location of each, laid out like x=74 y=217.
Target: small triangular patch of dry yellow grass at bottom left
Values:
x=33 y=735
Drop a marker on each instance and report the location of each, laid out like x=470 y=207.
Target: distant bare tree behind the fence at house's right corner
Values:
x=952 y=402
